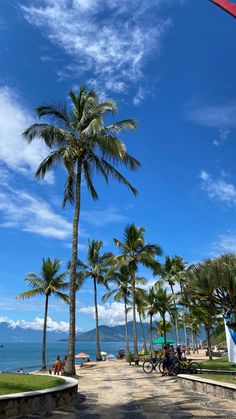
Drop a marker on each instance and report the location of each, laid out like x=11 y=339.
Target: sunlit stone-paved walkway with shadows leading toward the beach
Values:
x=118 y=391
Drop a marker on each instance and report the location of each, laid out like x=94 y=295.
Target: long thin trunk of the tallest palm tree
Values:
x=70 y=363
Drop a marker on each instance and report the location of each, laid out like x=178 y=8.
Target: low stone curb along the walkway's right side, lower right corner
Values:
x=203 y=385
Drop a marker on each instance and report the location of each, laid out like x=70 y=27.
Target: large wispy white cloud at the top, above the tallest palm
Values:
x=110 y=39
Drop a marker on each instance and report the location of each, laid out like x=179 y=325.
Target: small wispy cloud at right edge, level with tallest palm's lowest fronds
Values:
x=218 y=189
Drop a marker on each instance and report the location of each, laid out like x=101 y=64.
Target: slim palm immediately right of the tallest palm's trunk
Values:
x=95 y=269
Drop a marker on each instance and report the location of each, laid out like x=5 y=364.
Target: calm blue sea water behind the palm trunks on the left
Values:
x=28 y=356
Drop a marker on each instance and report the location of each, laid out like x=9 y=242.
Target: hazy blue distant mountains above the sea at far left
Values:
x=18 y=334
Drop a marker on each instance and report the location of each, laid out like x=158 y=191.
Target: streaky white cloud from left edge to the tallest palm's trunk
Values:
x=32 y=214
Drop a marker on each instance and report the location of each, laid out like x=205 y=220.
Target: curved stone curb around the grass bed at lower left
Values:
x=19 y=404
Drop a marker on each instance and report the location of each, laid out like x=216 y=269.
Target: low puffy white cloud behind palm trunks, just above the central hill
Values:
x=110 y=314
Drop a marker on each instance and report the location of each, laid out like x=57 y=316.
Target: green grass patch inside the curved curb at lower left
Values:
x=17 y=383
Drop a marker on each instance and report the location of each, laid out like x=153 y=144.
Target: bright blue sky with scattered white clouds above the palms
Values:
x=170 y=65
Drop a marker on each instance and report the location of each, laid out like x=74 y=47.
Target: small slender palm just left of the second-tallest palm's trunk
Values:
x=121 y=292
